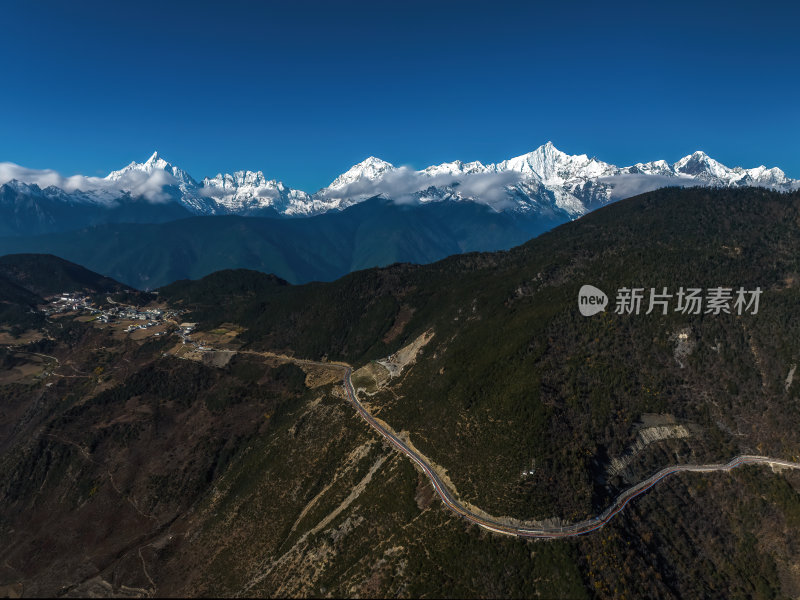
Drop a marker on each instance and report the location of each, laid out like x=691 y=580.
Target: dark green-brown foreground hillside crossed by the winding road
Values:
x=241 y=471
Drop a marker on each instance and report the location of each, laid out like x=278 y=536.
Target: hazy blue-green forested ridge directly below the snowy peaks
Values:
x=373 y=233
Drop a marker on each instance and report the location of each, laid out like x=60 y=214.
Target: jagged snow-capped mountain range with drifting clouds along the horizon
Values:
x=545 y=181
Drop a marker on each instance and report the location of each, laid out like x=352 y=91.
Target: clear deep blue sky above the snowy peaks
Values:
x=303 y=90
